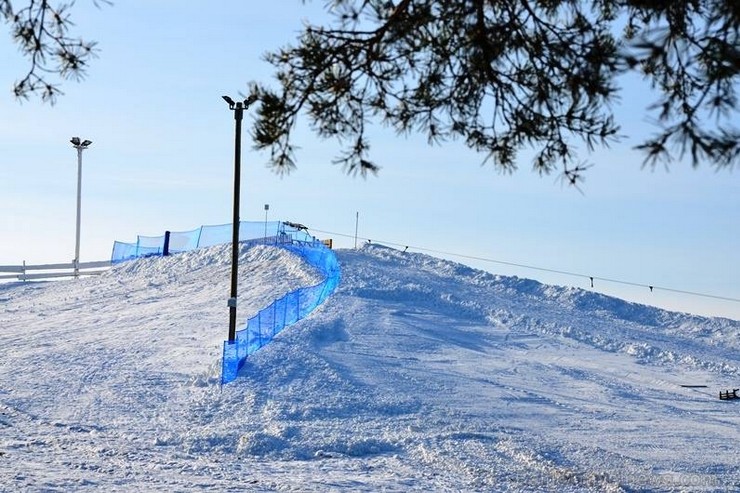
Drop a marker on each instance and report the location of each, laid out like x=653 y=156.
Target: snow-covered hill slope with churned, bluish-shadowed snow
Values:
x=418 y=375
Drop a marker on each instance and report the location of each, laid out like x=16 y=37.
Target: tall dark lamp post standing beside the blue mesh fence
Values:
x=238 y=109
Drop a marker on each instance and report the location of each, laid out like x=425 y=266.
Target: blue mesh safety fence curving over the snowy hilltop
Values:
x=269 y=321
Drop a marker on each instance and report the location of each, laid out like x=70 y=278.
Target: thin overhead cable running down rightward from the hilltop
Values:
x=652 y=287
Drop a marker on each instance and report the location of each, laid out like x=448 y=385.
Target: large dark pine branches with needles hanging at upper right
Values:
x=509 y=75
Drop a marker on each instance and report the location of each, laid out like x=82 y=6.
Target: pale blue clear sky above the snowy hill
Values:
x=162 y=158
